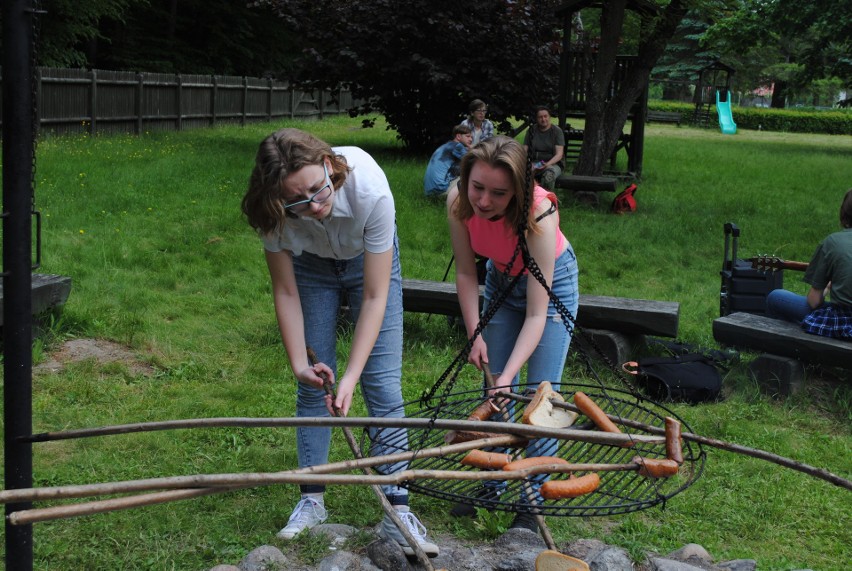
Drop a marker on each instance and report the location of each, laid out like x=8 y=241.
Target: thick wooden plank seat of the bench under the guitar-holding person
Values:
x=776 y=337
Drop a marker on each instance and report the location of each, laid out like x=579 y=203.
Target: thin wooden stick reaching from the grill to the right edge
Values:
x=820 y=473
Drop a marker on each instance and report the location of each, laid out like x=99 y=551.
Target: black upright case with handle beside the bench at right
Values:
x=743 y=288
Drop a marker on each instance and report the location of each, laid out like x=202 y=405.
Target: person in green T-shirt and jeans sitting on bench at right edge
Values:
x=829 y=273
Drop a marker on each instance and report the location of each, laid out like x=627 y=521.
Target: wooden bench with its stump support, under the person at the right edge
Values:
x=784 y=349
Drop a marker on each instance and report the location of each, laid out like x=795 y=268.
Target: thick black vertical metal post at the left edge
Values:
x=18 y=136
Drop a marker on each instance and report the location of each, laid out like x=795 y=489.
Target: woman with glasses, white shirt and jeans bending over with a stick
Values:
x=327 y=220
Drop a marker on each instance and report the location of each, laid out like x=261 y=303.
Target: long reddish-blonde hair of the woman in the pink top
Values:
x=504 y=153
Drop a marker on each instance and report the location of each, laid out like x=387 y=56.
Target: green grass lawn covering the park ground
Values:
x=150 y=231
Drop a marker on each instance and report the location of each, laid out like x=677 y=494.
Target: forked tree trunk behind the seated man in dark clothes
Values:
x=606 y=111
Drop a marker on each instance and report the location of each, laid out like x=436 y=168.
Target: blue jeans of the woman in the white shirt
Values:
x=322 y=283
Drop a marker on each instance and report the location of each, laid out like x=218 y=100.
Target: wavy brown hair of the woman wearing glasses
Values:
x=280 y=154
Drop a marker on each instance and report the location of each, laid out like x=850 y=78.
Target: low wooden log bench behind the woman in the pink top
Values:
x=615 y=324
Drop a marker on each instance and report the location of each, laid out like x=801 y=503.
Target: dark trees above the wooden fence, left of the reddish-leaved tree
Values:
x=177 y=36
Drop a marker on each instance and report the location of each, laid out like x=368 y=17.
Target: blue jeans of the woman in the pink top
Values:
x=548 y=358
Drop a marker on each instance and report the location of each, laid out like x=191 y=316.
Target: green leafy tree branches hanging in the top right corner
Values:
x=805 y=41
